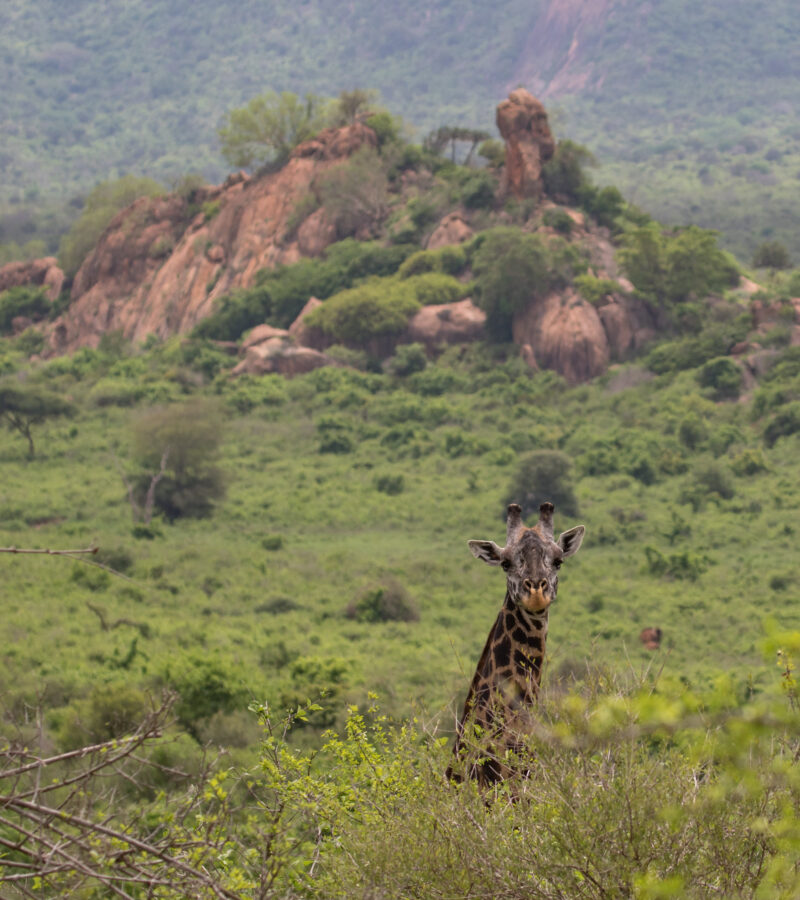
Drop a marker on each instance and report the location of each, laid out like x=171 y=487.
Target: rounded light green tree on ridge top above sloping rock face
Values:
x=269 y=127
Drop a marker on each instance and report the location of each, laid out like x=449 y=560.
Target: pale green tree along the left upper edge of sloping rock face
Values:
x=102 y=204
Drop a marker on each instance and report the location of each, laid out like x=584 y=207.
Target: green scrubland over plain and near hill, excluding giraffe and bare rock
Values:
x=283 y=576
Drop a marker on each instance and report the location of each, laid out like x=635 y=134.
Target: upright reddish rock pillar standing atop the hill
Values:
x=522 y=122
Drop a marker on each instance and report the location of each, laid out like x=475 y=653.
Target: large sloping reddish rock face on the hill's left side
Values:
x=155 y=271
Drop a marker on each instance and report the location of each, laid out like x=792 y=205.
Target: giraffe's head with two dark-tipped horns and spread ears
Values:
x=531 y=558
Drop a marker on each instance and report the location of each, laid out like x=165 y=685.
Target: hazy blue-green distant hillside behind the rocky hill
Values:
x=690 y=109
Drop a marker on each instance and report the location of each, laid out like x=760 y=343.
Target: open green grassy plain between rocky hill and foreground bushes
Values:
x=211 y=587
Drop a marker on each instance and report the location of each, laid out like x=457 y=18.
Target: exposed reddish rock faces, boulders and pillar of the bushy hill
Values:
x=159 y=268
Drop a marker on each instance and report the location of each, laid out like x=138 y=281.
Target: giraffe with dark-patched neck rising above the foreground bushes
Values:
x=506 y=680
